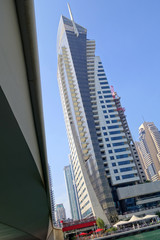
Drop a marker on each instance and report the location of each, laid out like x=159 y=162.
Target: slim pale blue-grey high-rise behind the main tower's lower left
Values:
x=72 y=194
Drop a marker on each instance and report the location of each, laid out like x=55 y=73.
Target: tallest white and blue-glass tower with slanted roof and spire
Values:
x=100 y=156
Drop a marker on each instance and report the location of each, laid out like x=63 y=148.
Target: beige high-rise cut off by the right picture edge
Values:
x=149 y=150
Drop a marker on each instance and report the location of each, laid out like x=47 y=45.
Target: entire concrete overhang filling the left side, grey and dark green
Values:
x=24 y=180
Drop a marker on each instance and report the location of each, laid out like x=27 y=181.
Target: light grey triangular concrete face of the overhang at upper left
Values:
x=13 y=76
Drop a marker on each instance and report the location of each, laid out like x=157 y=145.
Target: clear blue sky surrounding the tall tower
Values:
x=127 y=35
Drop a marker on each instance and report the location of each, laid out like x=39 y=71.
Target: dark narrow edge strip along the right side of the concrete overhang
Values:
x=27 y=25
